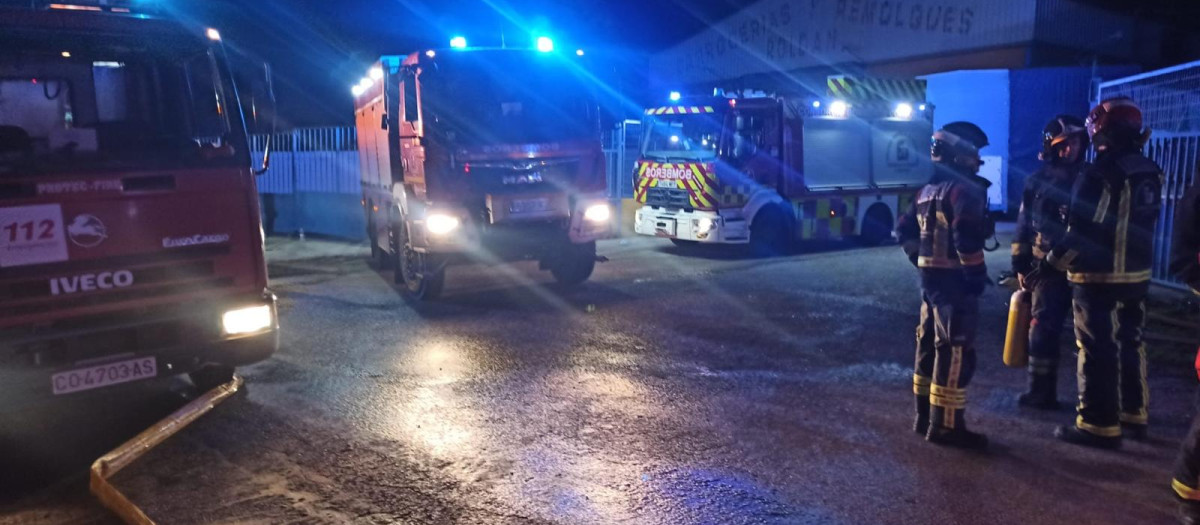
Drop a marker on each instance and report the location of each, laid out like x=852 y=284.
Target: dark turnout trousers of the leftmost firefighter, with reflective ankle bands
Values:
x=946 y=357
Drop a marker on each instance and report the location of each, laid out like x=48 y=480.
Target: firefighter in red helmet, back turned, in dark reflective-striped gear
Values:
x=1107 y=255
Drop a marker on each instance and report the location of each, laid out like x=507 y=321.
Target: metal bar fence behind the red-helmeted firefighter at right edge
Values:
x=1171 y=105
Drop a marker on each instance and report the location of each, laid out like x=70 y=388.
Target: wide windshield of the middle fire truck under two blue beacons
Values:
x=509 y=99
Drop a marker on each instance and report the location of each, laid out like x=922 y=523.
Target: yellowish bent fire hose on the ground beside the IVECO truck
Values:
x=112 y=463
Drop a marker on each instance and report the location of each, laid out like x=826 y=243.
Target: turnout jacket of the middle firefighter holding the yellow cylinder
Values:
x=1042 y=221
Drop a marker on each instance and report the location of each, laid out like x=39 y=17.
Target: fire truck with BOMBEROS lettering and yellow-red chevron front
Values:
x=767 y=171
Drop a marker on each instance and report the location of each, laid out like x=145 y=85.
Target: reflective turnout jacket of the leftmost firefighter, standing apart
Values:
x=946 y=227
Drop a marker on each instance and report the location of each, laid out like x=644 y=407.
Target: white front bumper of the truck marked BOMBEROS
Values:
x=727 y=227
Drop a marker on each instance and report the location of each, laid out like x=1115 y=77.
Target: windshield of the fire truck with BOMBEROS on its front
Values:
x=692 y=137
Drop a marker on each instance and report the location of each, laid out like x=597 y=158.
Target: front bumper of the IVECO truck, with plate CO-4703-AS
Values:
x=181 y=339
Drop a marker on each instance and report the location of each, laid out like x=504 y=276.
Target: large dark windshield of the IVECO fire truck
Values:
x=75 y=108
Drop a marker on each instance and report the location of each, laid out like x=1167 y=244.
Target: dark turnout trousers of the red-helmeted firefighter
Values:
x=1112 y=373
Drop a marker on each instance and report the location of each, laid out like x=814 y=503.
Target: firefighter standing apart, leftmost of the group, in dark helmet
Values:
x=944 y=234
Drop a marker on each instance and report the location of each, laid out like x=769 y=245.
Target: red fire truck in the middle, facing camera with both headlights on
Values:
x=481 y=155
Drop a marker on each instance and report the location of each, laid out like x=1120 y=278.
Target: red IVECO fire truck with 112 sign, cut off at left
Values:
x=130 y=237
